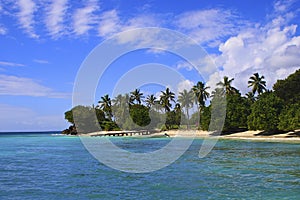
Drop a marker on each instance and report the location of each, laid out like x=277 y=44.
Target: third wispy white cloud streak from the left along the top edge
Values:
x=84 y=18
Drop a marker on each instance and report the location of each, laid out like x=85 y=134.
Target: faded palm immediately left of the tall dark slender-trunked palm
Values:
x=185 y=98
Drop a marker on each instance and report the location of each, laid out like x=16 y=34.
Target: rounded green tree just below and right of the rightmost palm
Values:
x=265 y=112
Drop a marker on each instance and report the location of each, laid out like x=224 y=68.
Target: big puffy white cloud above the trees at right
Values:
x=271 y=50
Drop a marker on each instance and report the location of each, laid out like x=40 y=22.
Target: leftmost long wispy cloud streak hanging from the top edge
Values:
x=26 y=16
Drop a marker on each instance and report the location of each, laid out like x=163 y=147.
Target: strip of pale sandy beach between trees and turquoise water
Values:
x=290 y=137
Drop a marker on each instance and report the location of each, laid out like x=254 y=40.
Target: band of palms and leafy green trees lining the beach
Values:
x=259 y=109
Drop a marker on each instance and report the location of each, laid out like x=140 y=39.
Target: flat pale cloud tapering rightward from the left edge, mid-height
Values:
x=19 y=86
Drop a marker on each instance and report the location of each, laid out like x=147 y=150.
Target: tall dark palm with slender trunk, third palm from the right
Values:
x=201 y=96
